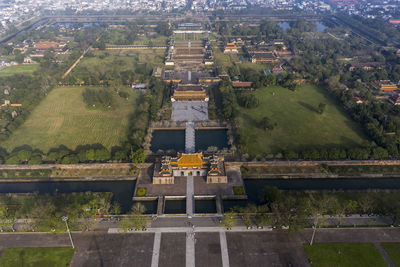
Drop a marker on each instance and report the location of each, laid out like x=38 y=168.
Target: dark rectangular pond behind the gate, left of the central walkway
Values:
x=163 y=140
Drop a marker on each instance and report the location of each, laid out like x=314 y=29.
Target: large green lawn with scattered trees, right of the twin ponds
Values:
x=298 y=124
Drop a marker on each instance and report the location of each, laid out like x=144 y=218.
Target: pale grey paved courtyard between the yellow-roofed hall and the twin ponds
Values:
x=189 y=111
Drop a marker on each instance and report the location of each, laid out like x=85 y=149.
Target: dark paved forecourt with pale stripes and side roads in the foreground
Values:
x=204 y=246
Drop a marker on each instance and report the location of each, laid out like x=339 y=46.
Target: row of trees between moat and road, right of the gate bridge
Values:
x=295 y=210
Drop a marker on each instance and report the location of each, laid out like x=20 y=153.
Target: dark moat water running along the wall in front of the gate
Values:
x=123 y=191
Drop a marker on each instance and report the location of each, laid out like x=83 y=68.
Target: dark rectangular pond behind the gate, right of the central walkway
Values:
x=211 y=138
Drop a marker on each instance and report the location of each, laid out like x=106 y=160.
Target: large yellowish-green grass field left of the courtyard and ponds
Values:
x=62 y=118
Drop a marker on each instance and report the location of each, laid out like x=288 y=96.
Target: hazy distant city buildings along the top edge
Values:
x=16 y=12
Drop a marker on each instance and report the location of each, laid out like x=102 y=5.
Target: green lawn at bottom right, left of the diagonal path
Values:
x=344 y=255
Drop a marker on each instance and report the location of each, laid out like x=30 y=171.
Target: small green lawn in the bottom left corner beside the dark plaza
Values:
x=40 y=257
